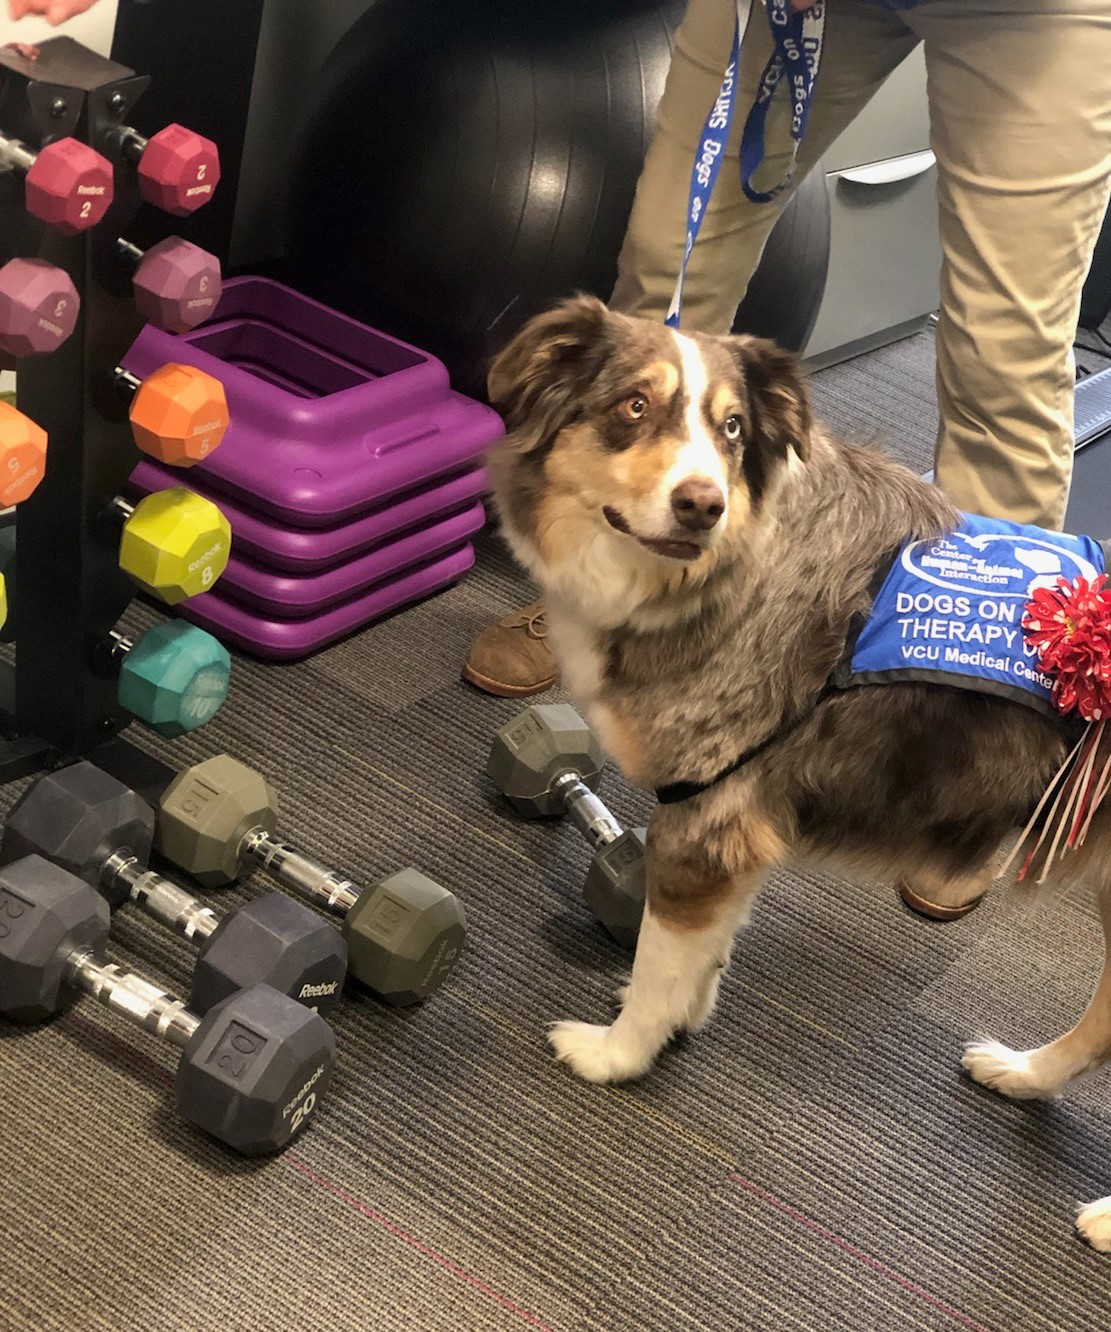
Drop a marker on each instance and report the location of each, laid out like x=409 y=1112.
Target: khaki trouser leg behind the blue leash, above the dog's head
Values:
x=864 y=43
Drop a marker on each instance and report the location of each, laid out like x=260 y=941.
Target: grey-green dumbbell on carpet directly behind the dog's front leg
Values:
x=548 y=763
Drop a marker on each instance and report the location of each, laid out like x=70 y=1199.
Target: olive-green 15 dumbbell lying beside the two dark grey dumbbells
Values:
x=219 y=819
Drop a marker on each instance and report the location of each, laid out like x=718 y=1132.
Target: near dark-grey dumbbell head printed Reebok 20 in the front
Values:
x=255 y=1070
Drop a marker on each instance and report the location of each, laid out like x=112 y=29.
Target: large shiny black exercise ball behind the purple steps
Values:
x=466 y=163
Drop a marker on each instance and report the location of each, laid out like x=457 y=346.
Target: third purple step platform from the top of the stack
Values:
x=290 y=597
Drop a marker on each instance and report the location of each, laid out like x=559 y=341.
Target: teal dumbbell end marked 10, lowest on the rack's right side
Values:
x=175 y=679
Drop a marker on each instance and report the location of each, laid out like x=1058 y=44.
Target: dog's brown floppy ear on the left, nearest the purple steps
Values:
x=539 y=379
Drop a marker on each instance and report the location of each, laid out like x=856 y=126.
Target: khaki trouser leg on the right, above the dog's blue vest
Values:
x=1021 y=125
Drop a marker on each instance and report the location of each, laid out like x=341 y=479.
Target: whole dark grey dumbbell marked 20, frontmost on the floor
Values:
x=252 y=1070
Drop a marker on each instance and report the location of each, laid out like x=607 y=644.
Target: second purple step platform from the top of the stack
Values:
x=302 y=551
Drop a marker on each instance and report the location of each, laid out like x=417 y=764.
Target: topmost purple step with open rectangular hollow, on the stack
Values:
x=330 y=418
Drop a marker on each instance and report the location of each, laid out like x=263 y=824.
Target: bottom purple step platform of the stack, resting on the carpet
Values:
x=288 y=640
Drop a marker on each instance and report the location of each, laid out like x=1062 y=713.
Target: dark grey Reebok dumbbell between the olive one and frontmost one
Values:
x=95 y=828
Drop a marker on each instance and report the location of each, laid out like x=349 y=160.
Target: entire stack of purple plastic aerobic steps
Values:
x=351 y=474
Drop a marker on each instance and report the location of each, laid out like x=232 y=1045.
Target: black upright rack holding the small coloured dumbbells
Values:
x=71 y=592
